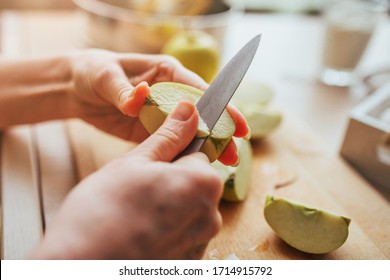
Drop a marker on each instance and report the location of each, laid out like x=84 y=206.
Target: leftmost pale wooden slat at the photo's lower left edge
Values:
x=20 y=199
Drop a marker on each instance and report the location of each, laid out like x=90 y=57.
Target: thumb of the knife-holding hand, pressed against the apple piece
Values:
x=173 y=136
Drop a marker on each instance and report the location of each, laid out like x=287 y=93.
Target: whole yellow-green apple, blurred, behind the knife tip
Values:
x=197 y=51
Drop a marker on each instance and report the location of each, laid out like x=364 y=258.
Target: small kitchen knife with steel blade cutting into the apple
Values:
x=215 y=99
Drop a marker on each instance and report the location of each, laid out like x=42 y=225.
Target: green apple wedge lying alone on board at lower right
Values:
x=305 y=228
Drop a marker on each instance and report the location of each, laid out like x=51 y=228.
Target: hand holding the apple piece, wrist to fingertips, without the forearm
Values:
x=103 y=79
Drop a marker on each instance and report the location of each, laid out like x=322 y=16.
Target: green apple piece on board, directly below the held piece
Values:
x=237 y=178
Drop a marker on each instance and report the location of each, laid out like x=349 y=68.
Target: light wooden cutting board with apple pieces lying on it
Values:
x=289 y=163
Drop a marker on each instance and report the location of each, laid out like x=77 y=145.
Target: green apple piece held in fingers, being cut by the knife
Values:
x=162 y=100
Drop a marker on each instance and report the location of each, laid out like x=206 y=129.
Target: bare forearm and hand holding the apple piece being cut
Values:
x=103 y=88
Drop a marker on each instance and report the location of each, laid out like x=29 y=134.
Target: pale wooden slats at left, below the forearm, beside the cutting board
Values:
x=37 y=173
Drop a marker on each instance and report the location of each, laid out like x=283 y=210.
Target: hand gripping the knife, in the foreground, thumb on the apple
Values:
x=142 y=206
